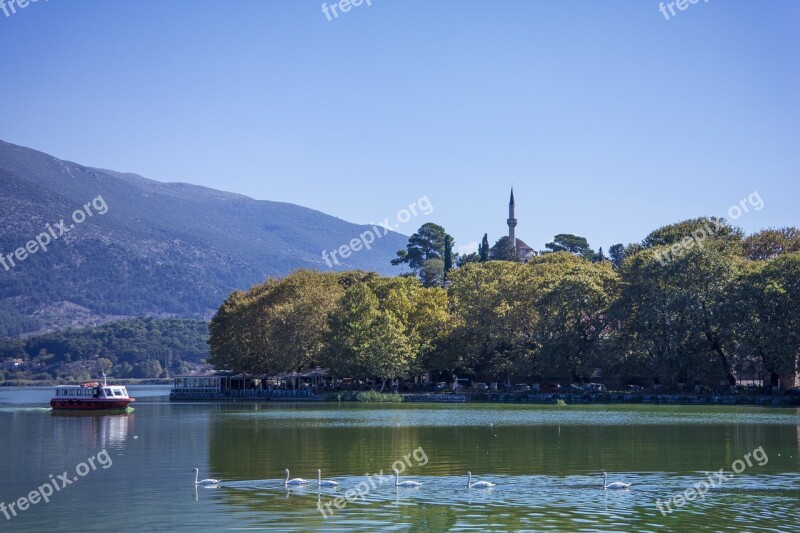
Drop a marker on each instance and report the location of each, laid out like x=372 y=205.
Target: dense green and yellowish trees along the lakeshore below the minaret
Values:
x=674 y=308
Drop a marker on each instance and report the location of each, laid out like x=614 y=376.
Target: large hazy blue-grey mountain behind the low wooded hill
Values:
x=131 y=246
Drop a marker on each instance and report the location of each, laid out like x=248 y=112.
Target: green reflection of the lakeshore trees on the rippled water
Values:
x=548 y=468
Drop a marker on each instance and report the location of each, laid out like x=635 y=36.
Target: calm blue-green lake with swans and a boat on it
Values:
x=546 y=460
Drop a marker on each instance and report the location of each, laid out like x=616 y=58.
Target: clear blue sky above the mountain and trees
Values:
x=608 y=119
